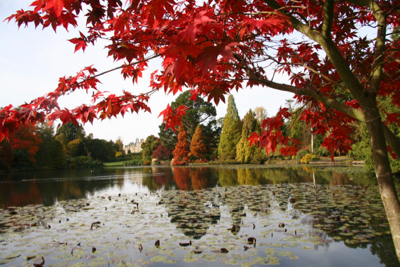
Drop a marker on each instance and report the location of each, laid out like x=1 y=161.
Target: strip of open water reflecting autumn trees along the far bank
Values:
x=19 y=189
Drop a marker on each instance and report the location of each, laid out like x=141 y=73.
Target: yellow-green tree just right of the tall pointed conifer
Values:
x=244 y=152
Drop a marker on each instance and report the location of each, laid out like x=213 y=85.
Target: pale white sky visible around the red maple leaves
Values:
x=32 y=60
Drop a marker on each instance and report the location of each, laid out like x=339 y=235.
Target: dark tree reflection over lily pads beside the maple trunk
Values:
x=350 y=214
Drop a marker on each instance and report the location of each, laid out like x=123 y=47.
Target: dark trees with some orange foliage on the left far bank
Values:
x=41 y=147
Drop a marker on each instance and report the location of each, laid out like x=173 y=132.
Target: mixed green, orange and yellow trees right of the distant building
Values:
x=203 y=138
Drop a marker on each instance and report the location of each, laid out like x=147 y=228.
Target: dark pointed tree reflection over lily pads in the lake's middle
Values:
x=192 y=212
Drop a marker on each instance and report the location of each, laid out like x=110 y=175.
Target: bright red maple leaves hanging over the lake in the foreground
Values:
x=198 y=44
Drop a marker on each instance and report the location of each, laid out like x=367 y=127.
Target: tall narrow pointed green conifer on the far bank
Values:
x=231 y=132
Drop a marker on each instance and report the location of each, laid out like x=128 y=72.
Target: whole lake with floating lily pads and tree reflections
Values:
x=194 y=216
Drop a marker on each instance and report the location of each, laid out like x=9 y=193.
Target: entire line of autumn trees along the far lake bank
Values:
x=201 y=138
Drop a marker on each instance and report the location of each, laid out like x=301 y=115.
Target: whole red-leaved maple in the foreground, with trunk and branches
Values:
x=217 y=46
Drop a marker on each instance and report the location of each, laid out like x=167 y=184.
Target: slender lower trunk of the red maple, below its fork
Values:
x=383 y=171
